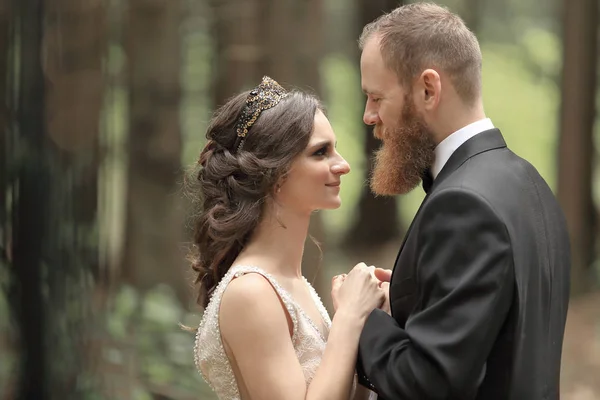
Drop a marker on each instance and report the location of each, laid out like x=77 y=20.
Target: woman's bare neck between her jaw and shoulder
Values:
x=277 y=244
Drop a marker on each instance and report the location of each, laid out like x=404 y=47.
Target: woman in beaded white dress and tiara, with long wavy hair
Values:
x=270 y=161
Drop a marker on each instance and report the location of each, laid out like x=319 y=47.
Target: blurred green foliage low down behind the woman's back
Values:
x=145 y=329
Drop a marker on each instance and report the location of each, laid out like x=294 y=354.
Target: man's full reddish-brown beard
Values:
x=407 y=151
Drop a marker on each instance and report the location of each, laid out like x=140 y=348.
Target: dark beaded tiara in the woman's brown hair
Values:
x=266 y=95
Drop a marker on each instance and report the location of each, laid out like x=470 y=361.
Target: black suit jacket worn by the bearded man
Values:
x=480 y=288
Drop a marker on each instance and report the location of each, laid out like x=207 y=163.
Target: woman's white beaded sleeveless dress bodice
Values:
x=211 y=359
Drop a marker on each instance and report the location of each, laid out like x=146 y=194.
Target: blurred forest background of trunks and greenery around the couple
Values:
x=105 y=103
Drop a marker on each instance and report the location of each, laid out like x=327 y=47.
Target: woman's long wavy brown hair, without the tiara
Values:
x=232 y=186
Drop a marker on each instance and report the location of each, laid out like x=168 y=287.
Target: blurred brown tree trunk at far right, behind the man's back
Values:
x=576 y=150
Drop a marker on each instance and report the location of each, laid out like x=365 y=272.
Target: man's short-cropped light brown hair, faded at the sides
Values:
x=418 y=36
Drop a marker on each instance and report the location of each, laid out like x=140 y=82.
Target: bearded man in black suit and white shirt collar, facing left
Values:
x=480 y=288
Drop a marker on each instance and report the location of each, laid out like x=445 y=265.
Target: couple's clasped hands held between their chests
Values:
x=364 y=288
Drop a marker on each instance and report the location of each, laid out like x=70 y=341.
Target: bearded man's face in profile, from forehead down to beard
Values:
x=408 y=145
